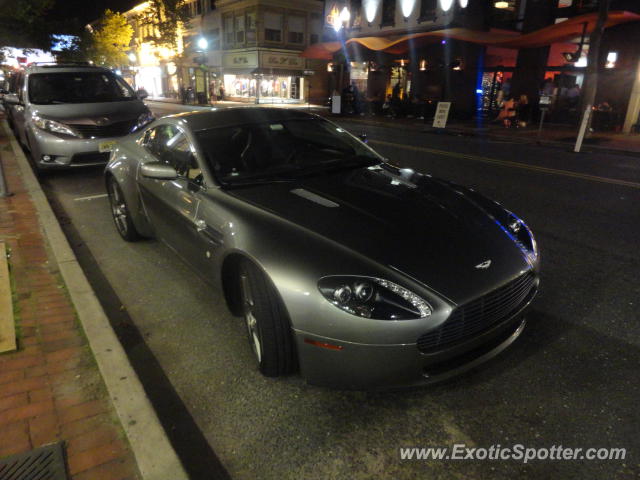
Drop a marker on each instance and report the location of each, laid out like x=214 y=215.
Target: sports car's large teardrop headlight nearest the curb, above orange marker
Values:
x=372 y=297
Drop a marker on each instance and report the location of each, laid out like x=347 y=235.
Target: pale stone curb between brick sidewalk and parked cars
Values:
x=156 y=458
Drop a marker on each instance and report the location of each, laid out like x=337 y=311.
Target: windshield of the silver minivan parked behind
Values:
x=77 y=87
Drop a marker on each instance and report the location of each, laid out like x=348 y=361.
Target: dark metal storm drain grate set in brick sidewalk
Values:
x=44 y=463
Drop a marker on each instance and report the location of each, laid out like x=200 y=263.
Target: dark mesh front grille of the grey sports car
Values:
x=479 y=315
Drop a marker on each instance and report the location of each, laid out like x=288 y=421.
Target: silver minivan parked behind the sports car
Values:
x=68 y=115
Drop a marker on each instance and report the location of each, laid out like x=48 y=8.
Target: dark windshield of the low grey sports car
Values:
x=281 y=150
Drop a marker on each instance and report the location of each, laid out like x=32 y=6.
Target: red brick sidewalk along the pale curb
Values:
x=51 y=389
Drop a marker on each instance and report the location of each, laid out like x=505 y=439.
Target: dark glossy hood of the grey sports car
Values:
x=418 y=225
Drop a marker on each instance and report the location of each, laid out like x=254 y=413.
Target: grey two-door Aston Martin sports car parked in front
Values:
x=362 y=274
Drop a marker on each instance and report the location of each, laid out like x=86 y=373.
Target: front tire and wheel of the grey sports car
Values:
x=267 y=323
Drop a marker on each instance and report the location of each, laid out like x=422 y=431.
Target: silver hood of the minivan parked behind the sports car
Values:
x=90 y=113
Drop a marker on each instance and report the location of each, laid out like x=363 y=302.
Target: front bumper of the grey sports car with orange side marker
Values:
x=370 y=367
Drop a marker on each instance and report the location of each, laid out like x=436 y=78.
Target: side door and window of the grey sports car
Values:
x=172 y=205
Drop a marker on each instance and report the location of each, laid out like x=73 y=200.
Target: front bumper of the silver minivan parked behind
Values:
x=66 y=152
